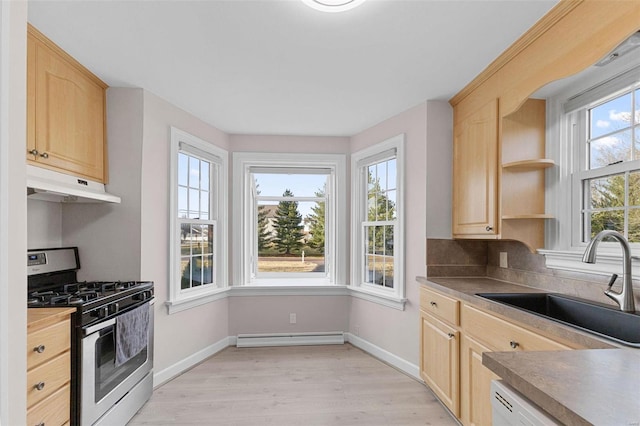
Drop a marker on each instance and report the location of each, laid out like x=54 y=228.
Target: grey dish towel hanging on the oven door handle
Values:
x=132 y=333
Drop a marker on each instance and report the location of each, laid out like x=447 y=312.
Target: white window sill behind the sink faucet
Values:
x=608 y=262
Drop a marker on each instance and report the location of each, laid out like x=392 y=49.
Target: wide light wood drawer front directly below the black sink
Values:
x=501 y=335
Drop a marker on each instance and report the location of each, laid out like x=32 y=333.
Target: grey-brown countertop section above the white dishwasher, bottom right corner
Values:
x=583 y=387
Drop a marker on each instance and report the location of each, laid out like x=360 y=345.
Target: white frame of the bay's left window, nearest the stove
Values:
x=180 y=299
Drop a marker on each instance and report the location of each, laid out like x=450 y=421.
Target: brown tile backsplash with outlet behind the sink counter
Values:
x=460 y=258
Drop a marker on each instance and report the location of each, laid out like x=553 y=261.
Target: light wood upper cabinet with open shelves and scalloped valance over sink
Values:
x=499 y=132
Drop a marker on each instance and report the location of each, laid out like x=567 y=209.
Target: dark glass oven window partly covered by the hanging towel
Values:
x=108 y=376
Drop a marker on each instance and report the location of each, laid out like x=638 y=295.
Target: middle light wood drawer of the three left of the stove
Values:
x=51 y=375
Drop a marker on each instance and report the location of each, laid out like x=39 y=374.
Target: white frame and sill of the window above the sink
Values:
x=564 y=246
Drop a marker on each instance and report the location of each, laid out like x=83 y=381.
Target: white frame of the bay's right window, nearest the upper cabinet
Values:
x=360 y=161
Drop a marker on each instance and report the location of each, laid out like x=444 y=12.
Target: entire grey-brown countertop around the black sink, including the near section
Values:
x=597 y=385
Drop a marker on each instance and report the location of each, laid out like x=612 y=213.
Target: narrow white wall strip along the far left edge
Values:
x=13 y=211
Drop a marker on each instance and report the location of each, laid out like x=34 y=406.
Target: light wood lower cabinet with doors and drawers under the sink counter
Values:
x=451 y=352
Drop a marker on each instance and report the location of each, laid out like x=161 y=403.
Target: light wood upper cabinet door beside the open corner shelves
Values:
x=475 y=173
